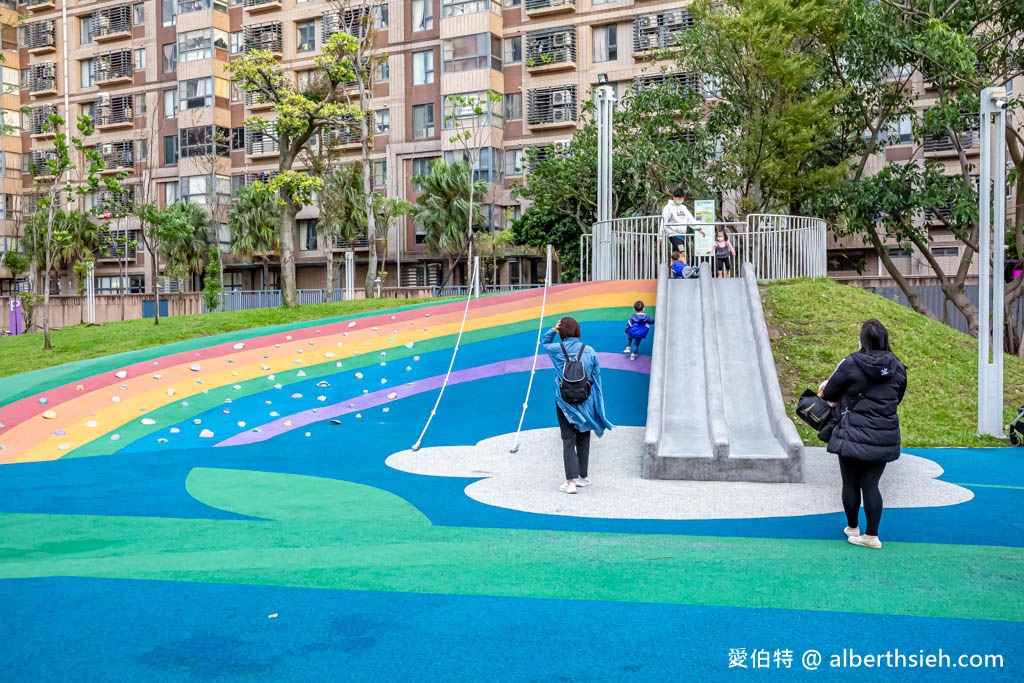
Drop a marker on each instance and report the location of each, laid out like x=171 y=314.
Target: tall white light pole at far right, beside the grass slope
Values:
x=991 y=251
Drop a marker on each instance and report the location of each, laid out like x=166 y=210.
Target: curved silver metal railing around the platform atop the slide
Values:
x=778 y=247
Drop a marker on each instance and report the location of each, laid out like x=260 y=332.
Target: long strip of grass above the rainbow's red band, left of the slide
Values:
x=24 y=354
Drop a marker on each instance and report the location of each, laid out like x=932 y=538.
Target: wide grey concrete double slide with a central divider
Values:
x=715 y=410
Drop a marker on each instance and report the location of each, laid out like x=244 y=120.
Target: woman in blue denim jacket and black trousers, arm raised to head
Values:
x=576 y=421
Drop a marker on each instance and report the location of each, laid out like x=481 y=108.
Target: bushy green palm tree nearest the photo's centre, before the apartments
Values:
x=443 y=210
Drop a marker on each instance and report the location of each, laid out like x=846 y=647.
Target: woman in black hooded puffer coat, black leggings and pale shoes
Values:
x=867 y=387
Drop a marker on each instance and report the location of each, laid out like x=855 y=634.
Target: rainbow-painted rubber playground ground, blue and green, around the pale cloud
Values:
x=158 y=507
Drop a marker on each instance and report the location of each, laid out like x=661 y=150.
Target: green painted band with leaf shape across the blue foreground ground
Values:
x=337 y=535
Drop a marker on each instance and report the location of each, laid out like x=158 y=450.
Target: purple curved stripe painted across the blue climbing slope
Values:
x=373 y=400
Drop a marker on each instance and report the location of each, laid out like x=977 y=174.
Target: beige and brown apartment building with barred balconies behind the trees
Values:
x=153 y=75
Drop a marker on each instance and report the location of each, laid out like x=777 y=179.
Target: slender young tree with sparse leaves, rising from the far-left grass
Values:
x=57 y=176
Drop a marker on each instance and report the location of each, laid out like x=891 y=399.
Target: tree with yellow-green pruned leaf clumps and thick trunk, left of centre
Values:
x=302 y=114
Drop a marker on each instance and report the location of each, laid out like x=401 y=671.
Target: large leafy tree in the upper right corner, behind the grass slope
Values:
x=957 y=49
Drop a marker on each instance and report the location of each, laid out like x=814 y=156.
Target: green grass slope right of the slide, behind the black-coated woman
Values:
x=817 y=323
